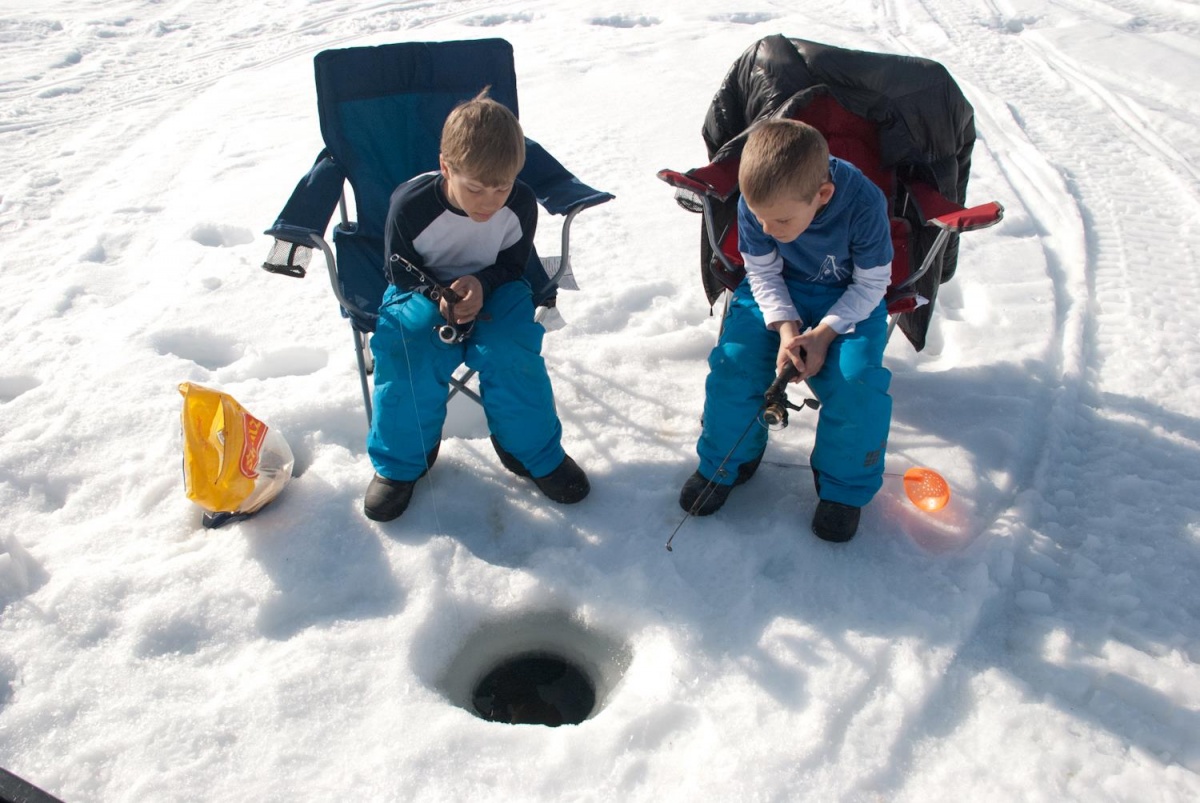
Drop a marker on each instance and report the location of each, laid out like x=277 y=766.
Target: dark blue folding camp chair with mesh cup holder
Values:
x=381 y=112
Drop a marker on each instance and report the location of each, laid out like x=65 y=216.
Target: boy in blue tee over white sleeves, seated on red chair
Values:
x=815 y=237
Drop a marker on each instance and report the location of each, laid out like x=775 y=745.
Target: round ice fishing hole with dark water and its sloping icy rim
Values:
x=538 y=669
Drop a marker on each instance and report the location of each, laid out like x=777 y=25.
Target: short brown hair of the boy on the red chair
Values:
x=783 y=159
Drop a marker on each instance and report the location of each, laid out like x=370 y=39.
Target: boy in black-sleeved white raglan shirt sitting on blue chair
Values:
x=458 y=242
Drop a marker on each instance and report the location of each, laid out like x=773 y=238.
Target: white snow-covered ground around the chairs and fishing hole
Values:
x=1036 y=640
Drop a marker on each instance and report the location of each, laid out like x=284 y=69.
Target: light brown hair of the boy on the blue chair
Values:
x=483 y=140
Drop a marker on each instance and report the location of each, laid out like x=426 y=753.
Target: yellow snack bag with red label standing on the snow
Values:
x=233 y=463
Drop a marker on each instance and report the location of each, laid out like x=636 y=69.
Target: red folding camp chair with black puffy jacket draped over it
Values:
x=903 y=122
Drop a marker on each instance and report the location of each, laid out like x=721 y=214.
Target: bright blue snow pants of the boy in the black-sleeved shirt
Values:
x=413 y=371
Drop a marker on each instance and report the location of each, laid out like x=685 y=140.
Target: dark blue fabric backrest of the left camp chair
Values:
x=382 y=111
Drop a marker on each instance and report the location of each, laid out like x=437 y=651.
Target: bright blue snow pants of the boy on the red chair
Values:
x=853 y=388
